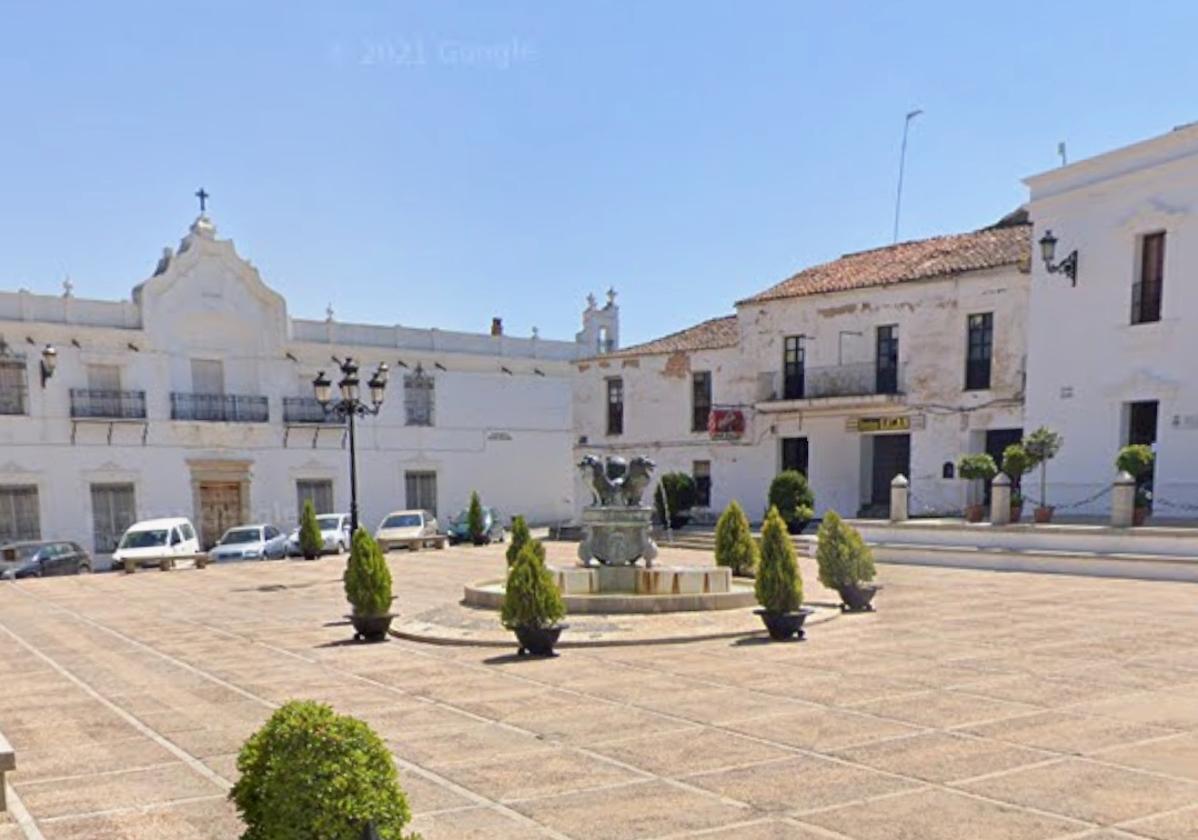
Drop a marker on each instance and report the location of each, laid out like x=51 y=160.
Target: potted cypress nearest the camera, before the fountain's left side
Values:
x=533 y=603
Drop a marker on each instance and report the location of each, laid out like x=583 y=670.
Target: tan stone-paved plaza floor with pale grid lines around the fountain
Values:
x=972 y=706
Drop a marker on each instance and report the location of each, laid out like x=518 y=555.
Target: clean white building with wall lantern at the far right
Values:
x=1112 y=356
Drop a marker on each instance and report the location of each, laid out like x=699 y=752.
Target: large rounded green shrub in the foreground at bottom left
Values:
x=312 y=773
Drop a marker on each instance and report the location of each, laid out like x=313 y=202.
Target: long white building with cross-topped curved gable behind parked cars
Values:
x=196 y=400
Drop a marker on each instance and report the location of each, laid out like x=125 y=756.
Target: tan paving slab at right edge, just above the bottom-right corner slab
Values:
x=1088 y=791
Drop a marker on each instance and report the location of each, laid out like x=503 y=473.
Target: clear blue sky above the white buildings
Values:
x=439 y=164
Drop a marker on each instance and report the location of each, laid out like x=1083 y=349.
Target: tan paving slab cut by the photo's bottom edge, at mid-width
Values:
x=639 y=811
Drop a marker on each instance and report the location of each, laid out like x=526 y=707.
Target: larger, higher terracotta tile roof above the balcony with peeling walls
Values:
x=923 y=259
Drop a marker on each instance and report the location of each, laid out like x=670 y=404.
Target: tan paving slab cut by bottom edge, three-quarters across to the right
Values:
x=941 y=815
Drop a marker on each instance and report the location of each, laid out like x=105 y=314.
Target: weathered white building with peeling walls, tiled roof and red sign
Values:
x=890 y=361
